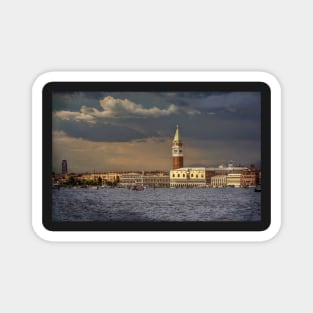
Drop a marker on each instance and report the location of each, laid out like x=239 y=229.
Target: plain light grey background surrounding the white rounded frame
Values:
x=272 y=36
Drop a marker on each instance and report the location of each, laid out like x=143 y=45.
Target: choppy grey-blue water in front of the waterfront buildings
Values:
x=119 y=204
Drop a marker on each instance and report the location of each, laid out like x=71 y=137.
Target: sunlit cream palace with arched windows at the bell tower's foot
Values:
x=188 y=177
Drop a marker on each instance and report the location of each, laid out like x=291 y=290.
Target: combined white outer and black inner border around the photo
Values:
x=155 y=81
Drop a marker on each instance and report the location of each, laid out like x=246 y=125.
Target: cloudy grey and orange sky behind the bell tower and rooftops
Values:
x=133 y=130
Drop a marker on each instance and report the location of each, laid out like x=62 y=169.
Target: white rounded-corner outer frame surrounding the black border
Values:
x=156 y=236
